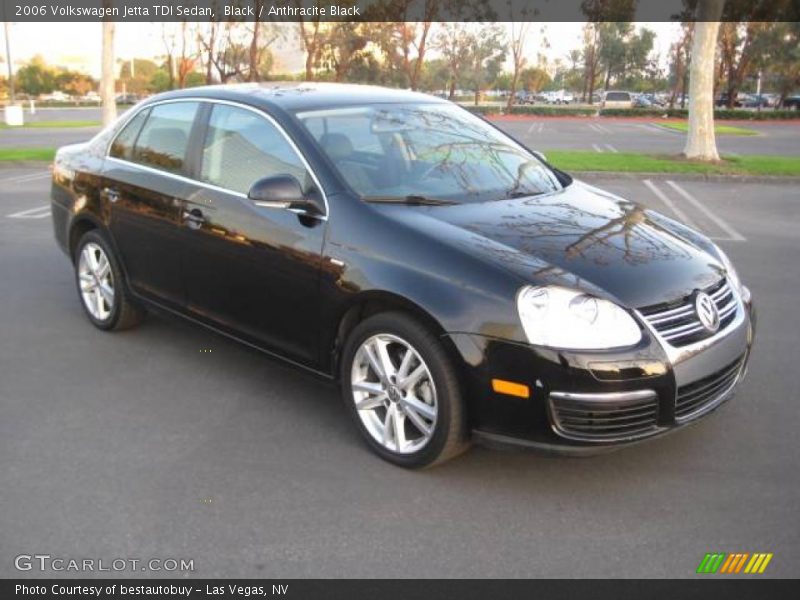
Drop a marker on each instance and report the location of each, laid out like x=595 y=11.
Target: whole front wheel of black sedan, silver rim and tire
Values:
x=402 y=391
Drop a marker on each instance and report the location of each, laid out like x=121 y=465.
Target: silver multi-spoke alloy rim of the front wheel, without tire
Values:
x=394 y=393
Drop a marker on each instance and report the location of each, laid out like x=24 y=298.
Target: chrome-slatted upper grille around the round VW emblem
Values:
x=677 y=322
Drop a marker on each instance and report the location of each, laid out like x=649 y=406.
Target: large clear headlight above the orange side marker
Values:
x=561 y=318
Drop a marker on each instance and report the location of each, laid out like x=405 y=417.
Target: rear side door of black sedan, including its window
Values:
x=145 y=185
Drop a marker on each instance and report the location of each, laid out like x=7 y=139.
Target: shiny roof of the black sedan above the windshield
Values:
x=293 y=96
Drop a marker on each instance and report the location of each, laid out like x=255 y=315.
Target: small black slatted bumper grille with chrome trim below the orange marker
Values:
x=615 y=417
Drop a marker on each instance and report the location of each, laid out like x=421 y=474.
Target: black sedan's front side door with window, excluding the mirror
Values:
x=251 y=270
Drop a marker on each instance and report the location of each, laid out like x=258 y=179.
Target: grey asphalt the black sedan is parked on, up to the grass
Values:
x=170 y=441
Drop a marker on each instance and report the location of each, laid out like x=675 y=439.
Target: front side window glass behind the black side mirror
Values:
x=242 y=147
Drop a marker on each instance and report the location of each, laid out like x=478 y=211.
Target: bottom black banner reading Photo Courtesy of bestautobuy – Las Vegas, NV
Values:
x=384 y=589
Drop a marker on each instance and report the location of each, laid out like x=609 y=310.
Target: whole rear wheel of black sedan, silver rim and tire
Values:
x=101 y=286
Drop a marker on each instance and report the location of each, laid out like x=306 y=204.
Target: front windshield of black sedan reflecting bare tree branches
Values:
x=433 y=151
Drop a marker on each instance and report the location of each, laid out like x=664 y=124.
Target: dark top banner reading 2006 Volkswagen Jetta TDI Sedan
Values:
x=389 y=10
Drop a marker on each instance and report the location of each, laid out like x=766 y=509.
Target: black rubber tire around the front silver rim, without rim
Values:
x=450 y=437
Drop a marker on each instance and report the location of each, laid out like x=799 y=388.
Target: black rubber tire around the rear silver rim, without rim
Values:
x=124 y=312
